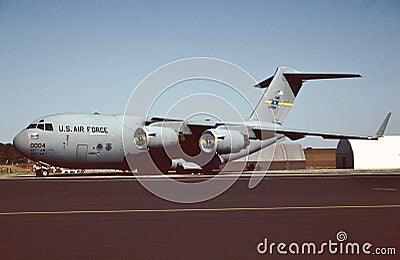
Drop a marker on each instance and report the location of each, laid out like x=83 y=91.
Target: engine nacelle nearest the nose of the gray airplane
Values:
x=154 y=137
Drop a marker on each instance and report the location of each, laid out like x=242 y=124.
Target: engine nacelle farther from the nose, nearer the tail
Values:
x=223 y=141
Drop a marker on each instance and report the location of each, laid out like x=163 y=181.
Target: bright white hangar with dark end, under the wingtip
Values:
x=383 y=153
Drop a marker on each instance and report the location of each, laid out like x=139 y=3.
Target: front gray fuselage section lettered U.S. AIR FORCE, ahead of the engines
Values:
x=76 y=141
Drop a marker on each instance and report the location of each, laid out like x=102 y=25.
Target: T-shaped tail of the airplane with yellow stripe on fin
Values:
x=281 y=91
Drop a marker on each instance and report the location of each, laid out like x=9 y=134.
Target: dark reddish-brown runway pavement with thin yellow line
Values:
x=115 y=217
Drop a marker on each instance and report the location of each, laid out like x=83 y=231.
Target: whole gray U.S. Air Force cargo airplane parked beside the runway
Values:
x=96 y=141
